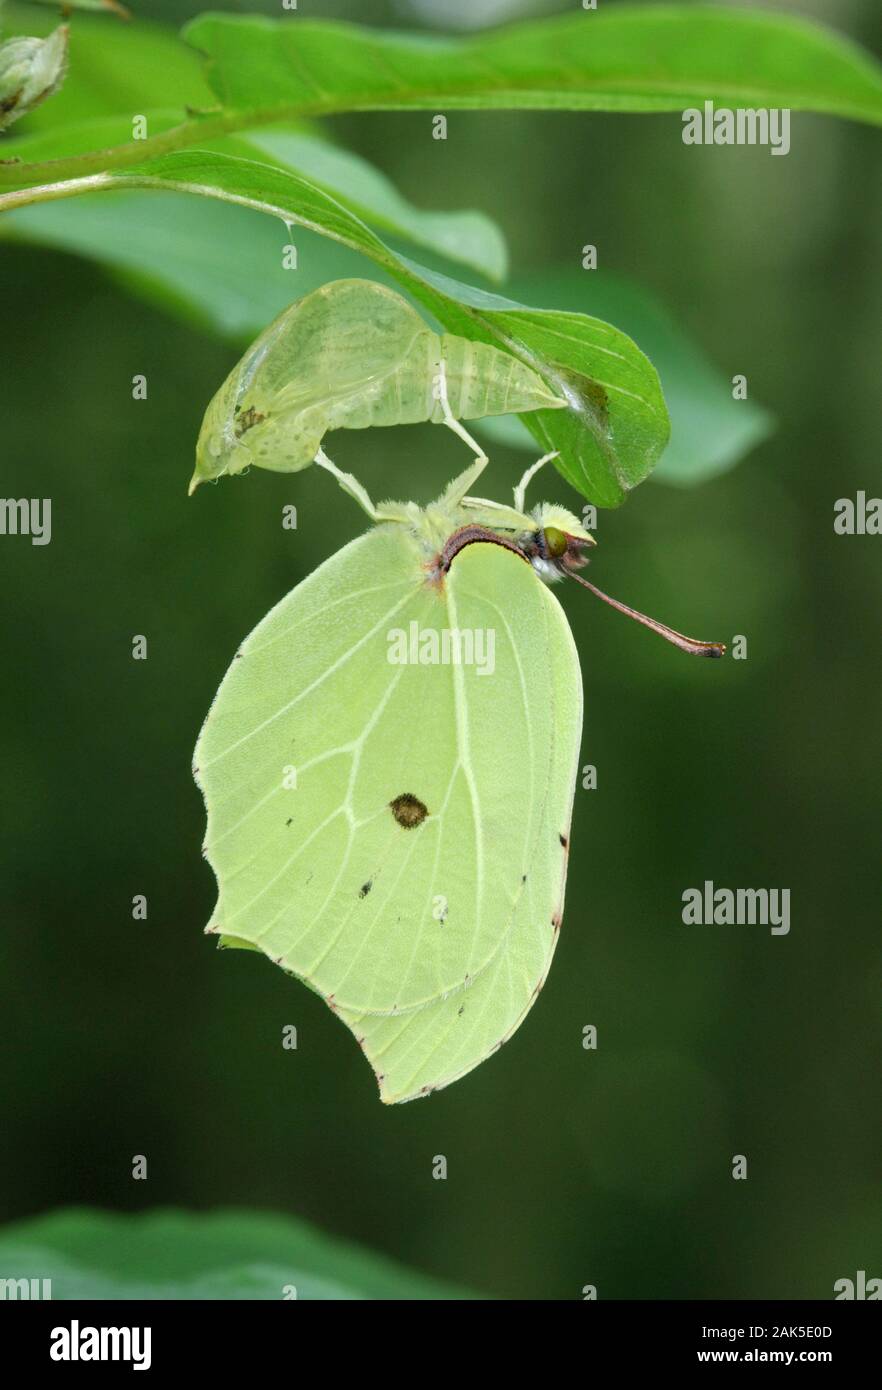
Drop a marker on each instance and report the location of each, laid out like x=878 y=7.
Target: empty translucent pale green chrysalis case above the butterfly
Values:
x=352 y=355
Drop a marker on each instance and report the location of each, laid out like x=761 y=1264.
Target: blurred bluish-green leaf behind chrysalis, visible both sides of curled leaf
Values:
x=222 y=268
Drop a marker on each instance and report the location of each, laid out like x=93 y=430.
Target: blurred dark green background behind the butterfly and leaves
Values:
x=566 y=1167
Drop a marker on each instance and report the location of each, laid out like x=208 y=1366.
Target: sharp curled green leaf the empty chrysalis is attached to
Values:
x=617 y=426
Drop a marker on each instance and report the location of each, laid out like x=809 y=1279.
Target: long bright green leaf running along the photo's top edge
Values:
x=617 y=59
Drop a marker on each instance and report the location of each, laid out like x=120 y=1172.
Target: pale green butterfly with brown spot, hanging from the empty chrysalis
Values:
x=390 y=771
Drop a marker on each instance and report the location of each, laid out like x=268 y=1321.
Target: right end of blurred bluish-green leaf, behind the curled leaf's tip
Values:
x=710 y=432
